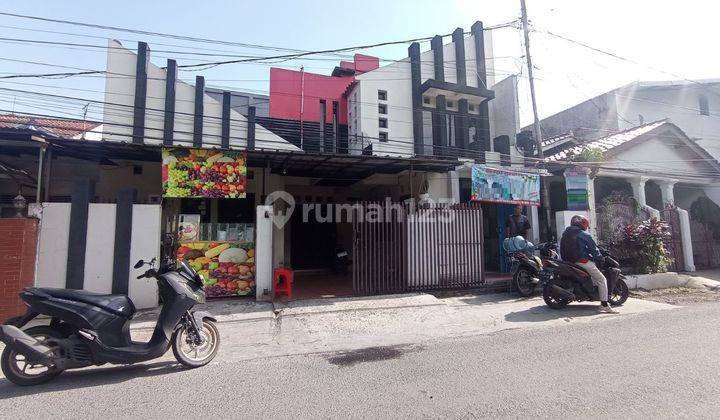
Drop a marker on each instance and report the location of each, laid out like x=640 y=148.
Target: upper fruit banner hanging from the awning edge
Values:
x=203 y=173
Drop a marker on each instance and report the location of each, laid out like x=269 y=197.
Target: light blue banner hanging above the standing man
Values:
x=502 y=186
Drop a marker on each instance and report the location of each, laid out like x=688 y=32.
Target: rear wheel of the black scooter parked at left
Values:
x=19 y=371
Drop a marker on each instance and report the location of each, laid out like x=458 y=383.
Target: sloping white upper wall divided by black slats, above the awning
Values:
x=118 y=113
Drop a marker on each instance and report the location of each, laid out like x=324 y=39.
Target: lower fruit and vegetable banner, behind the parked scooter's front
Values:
x=228 y=268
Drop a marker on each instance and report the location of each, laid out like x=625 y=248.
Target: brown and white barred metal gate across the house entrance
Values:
x=401 y=248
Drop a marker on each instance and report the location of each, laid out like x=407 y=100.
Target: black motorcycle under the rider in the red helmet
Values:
x=564 y=282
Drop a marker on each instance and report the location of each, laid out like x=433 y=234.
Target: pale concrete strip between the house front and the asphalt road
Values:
x=254 y=329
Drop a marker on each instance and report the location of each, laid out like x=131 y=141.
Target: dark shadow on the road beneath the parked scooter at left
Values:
x=89 y=378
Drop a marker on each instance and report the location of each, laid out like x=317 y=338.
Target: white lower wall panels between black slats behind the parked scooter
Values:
x=100 y=243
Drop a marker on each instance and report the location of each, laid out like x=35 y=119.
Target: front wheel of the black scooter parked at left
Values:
x=192 y=355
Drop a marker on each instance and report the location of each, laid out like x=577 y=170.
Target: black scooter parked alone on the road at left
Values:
x=93 y=329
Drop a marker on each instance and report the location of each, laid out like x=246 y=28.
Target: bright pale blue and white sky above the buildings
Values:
x=667 y=40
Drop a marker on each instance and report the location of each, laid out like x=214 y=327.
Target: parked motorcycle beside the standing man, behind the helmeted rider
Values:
x=526 y=267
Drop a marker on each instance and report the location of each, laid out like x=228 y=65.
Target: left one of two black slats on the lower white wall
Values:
x=81 y=196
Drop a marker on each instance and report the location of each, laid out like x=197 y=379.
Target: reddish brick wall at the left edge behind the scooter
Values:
x=18 y=240
